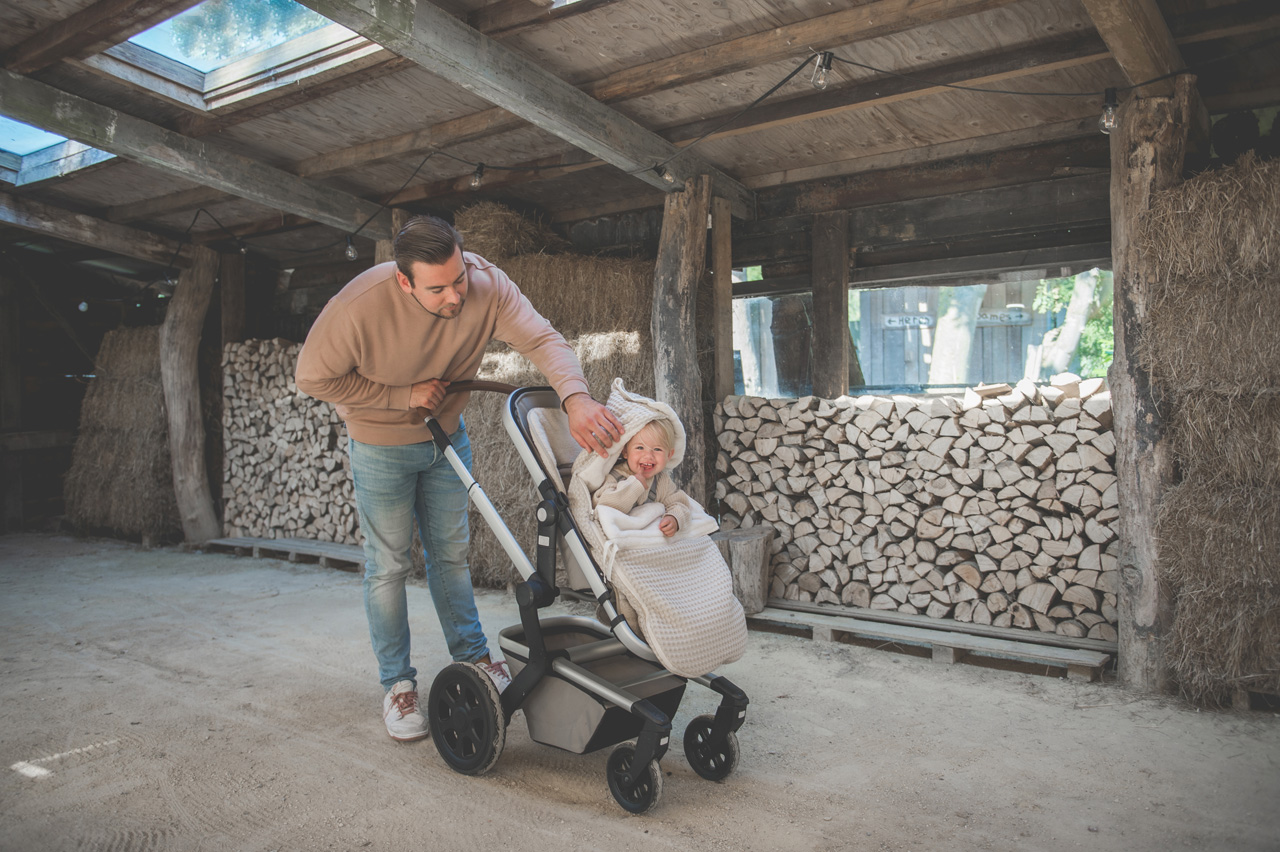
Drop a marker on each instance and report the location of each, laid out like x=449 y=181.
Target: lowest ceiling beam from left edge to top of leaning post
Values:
x=88 y=231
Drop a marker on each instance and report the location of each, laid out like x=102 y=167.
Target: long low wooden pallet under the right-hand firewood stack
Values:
x=947 y=647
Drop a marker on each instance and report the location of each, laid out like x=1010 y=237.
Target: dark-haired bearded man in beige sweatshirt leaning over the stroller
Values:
x=385 y=351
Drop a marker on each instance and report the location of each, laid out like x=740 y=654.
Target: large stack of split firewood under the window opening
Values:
x=998 y=507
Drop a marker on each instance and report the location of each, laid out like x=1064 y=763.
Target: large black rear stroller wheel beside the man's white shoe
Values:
x=465 y=716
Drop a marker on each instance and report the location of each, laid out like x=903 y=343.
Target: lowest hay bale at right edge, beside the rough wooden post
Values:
x=1220 y=552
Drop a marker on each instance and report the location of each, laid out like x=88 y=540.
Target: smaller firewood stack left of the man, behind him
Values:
x=286 y=471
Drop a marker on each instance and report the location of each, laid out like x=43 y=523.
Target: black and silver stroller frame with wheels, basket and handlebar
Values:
x=584 y=686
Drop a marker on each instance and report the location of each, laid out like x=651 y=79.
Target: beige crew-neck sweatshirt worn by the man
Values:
x=373 y=342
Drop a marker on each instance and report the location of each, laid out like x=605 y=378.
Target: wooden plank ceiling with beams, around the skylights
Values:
x=577 y=111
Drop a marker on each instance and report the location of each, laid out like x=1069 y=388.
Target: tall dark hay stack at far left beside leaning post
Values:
x=121 y=480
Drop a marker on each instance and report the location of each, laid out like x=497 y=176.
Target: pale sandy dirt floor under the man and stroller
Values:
x=170 y=700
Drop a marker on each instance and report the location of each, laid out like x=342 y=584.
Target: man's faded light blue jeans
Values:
x=395 y=485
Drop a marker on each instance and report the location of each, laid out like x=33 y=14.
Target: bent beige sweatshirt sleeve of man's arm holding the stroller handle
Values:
x=328 y=367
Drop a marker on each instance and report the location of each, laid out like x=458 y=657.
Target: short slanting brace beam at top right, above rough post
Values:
x=1140 y=40
